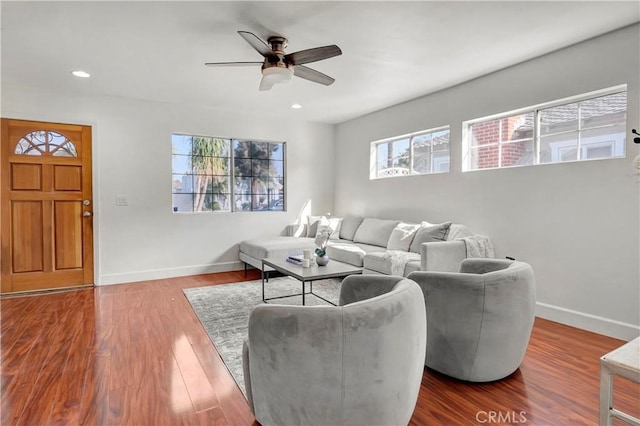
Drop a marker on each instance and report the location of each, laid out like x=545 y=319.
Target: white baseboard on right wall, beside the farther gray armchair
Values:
x=600 y=325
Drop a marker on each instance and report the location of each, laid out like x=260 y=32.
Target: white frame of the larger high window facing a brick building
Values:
x=536 y=136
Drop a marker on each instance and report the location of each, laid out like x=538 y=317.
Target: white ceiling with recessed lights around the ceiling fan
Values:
x=392 y=51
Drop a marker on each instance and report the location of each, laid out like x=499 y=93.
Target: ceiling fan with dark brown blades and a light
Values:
x=278 y=67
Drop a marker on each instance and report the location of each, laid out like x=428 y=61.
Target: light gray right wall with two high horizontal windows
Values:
x=577 y=224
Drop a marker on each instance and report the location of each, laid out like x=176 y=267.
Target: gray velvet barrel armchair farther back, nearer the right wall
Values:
x=478 y=320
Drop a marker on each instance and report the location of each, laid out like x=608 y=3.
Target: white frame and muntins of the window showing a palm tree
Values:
x=231 y=174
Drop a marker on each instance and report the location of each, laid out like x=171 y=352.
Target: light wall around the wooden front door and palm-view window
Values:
x=132 y=157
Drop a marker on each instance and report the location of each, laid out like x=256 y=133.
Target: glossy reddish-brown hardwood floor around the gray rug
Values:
x=137 y=354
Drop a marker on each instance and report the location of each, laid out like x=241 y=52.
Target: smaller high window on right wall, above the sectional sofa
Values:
x=416 y=154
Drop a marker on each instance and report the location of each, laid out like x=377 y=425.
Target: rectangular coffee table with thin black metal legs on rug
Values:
x=333 y=269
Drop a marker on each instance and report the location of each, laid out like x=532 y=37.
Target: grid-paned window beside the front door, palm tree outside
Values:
x=217 y=174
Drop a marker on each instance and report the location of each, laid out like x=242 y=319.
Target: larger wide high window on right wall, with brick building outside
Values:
x=584 y=128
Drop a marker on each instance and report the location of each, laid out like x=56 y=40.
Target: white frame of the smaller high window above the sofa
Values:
x=373 y=154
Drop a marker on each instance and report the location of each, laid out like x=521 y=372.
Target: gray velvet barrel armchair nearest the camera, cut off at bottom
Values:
x=358 y=363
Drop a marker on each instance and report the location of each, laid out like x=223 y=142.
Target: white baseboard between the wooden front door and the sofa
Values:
x=156 y=274
